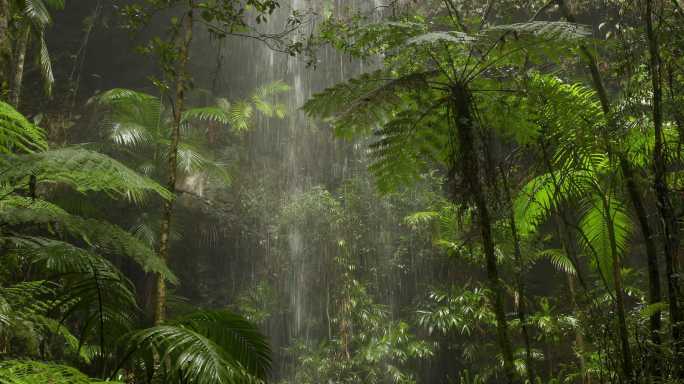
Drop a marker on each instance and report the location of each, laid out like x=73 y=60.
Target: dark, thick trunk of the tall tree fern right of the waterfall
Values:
x=465 y=126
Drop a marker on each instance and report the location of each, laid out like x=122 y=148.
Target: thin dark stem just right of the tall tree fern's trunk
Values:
x=520 y=281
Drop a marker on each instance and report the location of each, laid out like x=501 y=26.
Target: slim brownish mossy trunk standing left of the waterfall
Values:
x=165 y=230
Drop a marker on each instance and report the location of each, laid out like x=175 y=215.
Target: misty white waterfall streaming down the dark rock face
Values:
x=306 y=153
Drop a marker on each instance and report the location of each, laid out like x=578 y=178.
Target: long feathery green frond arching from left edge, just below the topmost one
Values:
x=81 y=169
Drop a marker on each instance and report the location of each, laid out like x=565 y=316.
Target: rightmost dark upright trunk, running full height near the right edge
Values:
x=662 y=191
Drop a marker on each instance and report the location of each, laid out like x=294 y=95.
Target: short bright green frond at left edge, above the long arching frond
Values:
x=17 y=133
